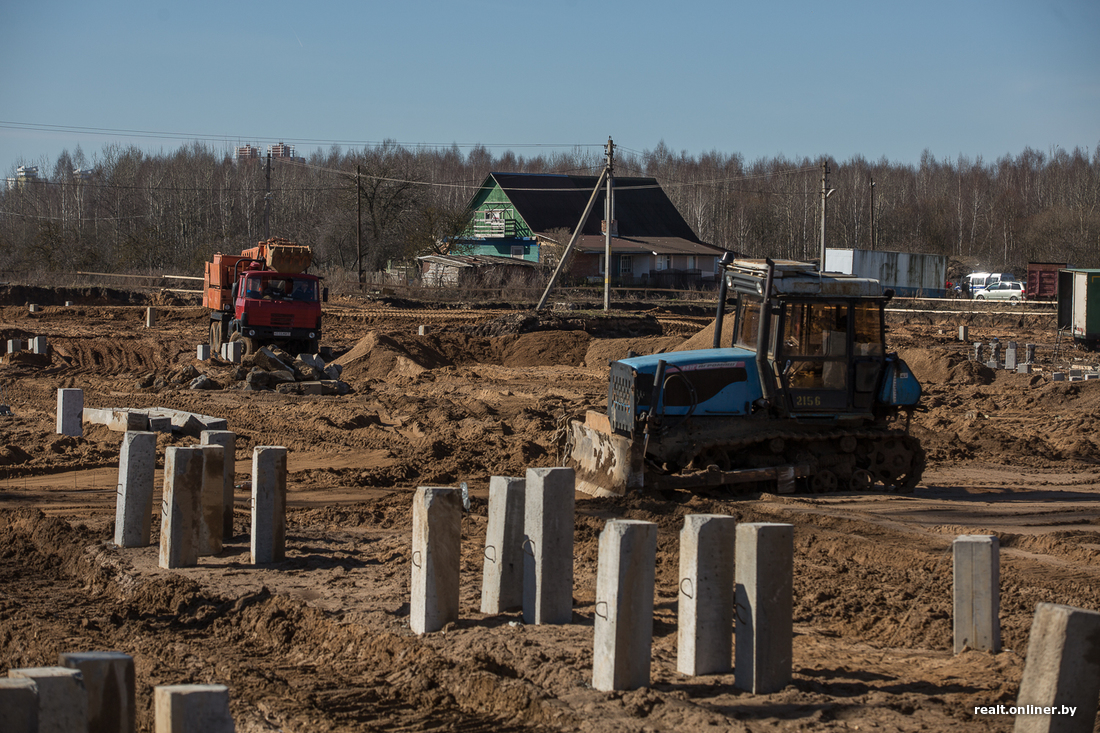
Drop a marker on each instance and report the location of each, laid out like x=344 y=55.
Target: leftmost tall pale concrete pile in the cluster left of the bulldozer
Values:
x=135 y=502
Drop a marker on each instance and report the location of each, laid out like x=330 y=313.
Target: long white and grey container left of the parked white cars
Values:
x=907 y=273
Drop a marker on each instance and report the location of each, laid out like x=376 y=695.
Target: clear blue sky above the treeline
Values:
x=766 y=79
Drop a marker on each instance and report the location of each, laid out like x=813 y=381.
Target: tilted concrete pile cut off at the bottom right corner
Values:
x=1062 y=672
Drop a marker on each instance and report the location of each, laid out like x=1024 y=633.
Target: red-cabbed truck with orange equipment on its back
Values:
x=265 y=297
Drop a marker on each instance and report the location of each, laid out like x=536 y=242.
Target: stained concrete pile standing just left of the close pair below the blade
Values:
x=437 y=530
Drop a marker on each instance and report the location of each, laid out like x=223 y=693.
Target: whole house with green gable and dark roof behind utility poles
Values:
x=532 y=216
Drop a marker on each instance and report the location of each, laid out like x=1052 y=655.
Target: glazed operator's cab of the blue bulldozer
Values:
x=823 y=347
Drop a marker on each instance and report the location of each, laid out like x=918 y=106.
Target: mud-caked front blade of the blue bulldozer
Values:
x=607 y=465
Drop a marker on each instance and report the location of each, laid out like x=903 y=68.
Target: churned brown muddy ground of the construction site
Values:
x=322 y=641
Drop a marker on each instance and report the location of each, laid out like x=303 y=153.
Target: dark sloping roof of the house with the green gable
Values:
x=552 y=202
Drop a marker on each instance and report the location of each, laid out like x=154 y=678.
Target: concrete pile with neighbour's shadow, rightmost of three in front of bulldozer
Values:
x=764 y=622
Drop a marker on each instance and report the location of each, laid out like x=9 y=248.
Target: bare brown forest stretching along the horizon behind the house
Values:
x=130 y=211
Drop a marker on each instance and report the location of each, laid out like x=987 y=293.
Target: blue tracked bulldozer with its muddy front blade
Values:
x=804 y=399
